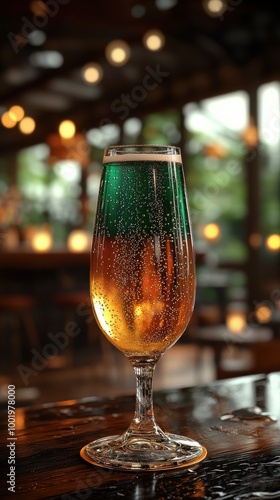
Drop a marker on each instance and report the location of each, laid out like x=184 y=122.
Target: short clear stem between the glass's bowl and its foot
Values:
x=143 y=422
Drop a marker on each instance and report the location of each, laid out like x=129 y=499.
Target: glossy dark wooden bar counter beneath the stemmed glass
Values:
x=243 y=459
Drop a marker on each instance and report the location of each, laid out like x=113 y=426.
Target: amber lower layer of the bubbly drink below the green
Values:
x=142 y=292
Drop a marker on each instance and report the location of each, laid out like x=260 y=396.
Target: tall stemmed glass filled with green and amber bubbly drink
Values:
x=143 y=290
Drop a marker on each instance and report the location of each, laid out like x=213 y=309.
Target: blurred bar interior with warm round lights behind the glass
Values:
x=77 y=76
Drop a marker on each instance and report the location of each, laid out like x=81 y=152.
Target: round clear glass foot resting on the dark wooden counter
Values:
x=163 y=452
